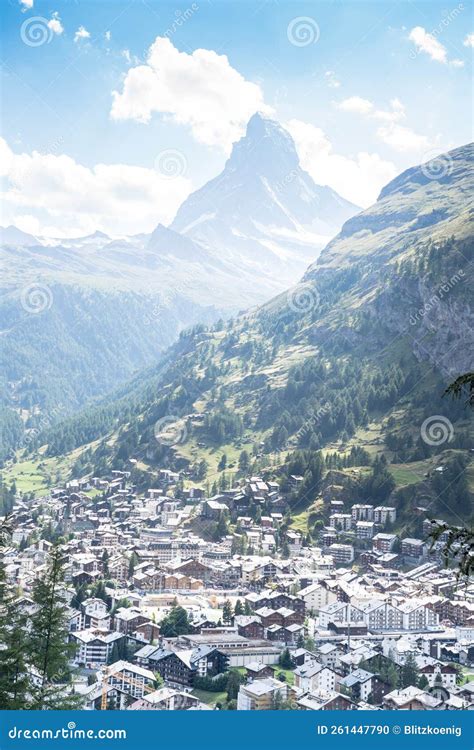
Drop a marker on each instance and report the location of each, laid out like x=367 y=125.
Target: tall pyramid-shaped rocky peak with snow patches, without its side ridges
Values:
x=264 y=211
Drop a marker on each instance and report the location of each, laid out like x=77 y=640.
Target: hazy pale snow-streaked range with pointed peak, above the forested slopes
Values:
x=236 y=242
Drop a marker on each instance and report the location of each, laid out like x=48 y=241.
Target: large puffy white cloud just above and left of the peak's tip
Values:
x=200 y=90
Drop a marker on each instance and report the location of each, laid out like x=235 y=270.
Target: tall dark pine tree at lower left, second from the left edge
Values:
x=49 y=650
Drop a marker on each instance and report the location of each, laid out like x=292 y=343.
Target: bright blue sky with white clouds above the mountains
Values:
x=366 y=89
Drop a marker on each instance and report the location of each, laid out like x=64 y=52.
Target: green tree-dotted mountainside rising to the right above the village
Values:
x=355 y=356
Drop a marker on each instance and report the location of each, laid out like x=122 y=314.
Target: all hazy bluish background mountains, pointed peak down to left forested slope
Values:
x=80 y=316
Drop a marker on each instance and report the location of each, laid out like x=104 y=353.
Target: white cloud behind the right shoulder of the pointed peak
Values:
x=358 y=179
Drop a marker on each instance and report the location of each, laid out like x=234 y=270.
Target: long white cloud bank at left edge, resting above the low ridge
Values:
x=56 y=191
